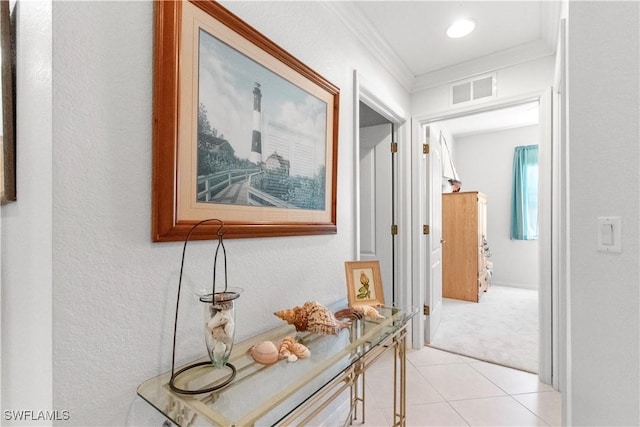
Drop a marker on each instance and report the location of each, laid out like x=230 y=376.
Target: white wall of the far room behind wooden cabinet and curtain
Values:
x=485 y=161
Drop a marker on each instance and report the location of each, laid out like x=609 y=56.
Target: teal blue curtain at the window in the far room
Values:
x=524 y=197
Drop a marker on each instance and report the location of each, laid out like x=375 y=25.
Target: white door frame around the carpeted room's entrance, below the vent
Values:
x=549 y=286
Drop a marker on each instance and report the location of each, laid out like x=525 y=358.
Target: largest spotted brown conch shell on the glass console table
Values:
x=312 y=317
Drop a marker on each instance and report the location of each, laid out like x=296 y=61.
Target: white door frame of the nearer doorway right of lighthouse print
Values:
x=368 y=94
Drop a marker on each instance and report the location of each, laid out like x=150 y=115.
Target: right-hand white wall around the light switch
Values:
x=603 y=115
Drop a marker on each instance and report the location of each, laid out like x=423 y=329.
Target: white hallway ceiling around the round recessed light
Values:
x=415 y=30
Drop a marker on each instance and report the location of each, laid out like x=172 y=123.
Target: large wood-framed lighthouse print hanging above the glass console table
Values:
x=242 y=131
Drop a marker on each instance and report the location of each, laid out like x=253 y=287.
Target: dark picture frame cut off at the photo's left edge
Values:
x=8 y=79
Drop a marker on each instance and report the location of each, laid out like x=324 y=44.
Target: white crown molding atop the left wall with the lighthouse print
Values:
x=364 y=31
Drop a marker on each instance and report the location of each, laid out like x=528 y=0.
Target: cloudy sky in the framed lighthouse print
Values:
x=226 y=82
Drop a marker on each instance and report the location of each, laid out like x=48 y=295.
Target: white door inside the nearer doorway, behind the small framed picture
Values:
x=376 y=204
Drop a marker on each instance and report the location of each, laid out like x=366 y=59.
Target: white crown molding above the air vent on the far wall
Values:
x=485 y=64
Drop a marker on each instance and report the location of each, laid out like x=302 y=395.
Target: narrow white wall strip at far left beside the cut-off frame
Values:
x=26 y=228
